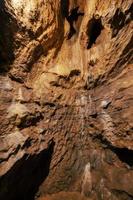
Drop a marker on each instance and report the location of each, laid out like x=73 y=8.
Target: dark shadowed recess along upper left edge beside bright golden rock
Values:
x=8 y=26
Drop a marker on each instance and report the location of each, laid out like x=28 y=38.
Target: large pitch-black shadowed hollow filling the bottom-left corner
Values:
x=23 y=180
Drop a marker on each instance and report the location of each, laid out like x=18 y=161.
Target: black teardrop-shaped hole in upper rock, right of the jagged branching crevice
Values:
x=94 y=30
